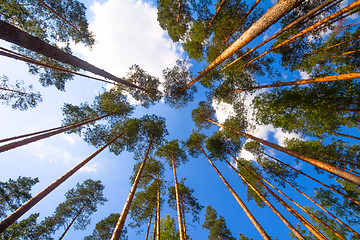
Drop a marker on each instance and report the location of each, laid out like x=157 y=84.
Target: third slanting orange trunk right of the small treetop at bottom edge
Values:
x=306 y=223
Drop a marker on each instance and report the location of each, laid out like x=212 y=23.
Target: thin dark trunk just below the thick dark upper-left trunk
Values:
x=23 y=58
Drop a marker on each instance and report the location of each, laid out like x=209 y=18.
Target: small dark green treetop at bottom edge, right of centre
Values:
x=216 y=225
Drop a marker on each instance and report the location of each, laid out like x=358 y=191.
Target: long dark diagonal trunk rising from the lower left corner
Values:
x=29 y=204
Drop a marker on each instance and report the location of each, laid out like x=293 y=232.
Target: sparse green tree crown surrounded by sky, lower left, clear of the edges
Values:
x=80 y=203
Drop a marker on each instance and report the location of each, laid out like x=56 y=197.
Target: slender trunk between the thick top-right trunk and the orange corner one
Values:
x=282 y=31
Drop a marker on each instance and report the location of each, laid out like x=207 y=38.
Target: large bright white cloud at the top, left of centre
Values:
x=127 y=33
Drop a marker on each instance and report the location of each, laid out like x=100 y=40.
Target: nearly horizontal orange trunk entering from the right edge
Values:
x=339 y=77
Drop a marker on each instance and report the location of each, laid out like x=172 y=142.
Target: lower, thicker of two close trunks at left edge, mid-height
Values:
x=23 y=142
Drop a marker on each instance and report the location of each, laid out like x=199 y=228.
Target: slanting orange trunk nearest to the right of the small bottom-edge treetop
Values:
x=241 y=203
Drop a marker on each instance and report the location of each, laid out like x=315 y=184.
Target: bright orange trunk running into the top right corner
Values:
x=310 y=29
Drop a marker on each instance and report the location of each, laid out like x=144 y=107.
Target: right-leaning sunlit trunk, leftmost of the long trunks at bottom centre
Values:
x=121 y=221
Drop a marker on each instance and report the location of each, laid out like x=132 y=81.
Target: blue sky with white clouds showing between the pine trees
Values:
x=127 y=33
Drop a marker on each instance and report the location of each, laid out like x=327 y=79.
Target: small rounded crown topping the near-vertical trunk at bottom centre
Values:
x=172 y=151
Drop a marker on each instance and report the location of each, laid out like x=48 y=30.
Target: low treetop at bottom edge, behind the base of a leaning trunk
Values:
x=104 y=229
